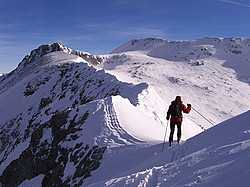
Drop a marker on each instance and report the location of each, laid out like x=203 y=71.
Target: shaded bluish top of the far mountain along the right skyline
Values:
x=194 y=51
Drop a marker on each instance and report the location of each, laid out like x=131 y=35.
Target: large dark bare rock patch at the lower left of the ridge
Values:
x=50 y=159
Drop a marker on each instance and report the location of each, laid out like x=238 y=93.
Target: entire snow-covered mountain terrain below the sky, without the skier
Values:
x=70 y=118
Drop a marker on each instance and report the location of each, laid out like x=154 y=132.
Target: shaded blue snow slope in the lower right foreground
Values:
x=216 y=157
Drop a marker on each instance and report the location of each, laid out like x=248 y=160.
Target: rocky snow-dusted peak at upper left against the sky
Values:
x=41 y=56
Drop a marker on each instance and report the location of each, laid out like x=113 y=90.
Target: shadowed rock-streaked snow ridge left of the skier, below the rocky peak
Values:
x=62 y=115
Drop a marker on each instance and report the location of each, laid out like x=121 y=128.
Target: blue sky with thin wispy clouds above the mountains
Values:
x=99 y=26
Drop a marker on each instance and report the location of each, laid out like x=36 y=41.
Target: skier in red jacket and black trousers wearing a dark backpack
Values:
x=175 y=112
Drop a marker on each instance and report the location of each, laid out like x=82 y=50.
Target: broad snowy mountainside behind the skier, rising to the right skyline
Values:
x=211 y=73
